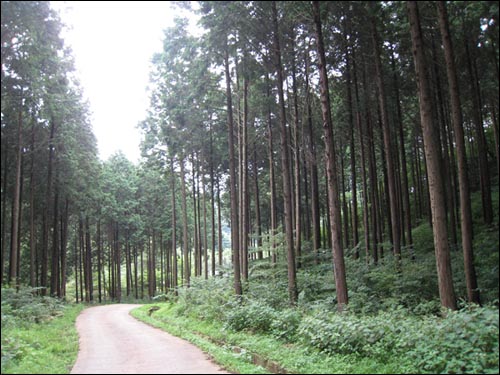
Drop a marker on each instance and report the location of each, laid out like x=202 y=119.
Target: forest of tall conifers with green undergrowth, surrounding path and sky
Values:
x=321 y=172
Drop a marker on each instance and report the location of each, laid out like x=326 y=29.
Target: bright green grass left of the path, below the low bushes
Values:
x=49 y=347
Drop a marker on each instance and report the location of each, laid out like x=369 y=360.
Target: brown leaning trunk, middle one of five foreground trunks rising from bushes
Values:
x=334 y=212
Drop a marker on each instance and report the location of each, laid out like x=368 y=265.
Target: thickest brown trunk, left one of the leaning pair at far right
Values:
x=433 y=160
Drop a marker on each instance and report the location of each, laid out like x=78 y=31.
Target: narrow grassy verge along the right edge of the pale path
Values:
x=238 y=351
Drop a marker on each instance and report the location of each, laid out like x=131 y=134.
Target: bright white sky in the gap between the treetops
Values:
x=113 y=43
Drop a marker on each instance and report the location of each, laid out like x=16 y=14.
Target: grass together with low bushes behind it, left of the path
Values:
x=38 y=333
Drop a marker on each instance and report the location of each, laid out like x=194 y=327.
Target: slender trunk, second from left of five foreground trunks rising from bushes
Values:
x=285 y=165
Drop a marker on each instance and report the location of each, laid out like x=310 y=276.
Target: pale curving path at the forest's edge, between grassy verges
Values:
x=113 y=342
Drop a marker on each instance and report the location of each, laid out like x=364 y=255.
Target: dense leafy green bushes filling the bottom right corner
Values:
x=463 y=341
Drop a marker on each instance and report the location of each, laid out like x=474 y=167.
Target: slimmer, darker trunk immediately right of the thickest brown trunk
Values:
x=465 y=205
